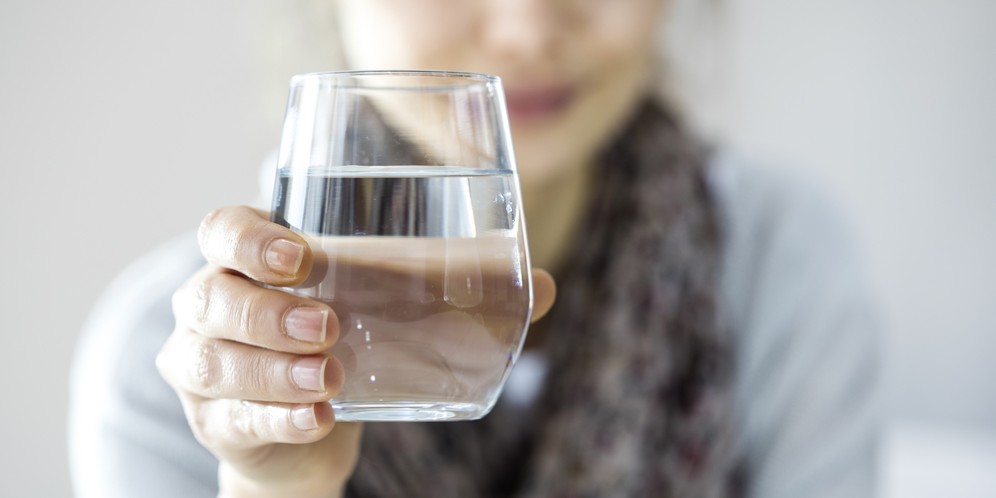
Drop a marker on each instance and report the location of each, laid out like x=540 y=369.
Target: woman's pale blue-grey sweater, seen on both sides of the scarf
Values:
x=805 y=333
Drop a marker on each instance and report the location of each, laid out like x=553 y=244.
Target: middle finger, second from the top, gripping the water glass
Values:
x=226 y=306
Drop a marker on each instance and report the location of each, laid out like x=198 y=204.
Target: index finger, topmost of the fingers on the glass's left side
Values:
x=242 y=239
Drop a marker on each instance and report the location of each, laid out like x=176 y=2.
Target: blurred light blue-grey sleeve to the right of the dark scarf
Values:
x=806 y=335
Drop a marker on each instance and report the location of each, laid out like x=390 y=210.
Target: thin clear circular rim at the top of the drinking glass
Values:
x=348 y=78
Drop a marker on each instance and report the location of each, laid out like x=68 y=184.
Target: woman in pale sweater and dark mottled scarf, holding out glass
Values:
x=710 y=338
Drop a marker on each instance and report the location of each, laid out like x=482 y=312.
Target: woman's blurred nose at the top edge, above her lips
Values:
x=524 y=29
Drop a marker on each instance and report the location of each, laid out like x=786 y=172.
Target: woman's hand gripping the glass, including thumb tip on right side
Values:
x=250 y=364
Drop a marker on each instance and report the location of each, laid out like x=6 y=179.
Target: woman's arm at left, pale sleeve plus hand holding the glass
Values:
x=229 y=350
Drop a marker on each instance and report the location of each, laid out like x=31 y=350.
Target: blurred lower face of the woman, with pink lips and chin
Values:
x=572 y=69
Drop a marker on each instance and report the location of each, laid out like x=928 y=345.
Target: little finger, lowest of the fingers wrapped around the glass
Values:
x=230 y=426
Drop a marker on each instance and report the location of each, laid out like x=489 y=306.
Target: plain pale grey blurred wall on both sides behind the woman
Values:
x=122 y=123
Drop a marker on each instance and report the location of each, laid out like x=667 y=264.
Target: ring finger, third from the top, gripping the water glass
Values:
x=214 y=368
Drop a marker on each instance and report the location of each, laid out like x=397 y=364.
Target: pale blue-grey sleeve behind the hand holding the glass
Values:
x=127 y=433
